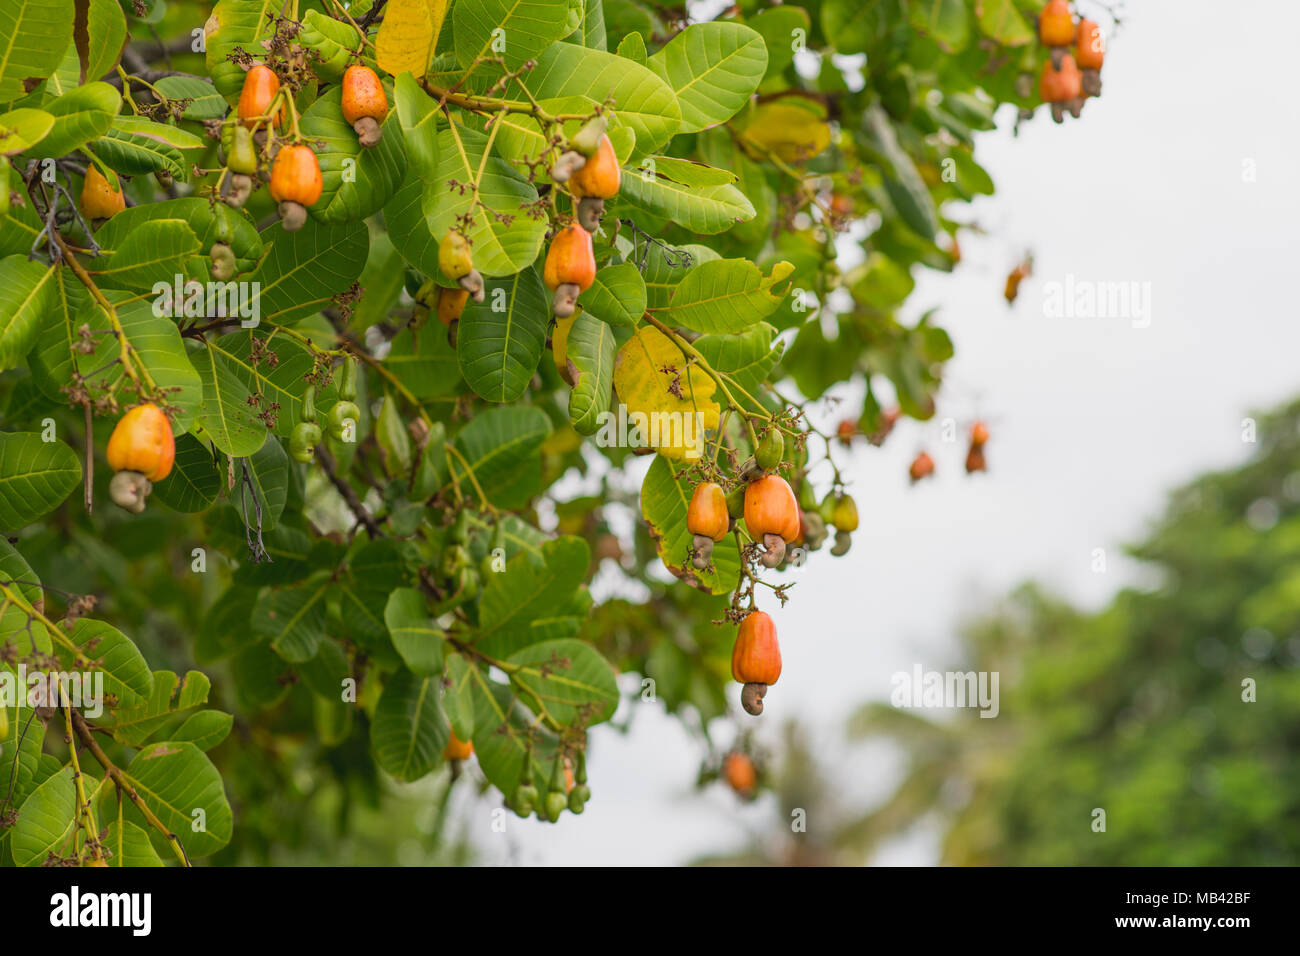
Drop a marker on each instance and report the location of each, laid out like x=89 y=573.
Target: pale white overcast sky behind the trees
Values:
x=1094 y=421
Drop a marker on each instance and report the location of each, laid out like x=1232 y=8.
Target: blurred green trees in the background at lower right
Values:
x=1141 y=710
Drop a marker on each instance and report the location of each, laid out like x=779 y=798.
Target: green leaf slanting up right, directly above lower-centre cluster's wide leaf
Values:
x=528 y=591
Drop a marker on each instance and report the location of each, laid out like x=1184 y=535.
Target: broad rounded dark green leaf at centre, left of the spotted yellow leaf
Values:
x=501 y=448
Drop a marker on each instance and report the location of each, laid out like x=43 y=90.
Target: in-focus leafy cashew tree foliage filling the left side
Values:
x=427 y=573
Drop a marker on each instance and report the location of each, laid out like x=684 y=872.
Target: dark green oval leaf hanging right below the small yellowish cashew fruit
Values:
x=502 y=339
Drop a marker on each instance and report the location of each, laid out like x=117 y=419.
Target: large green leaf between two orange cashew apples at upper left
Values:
x=357 y=180
